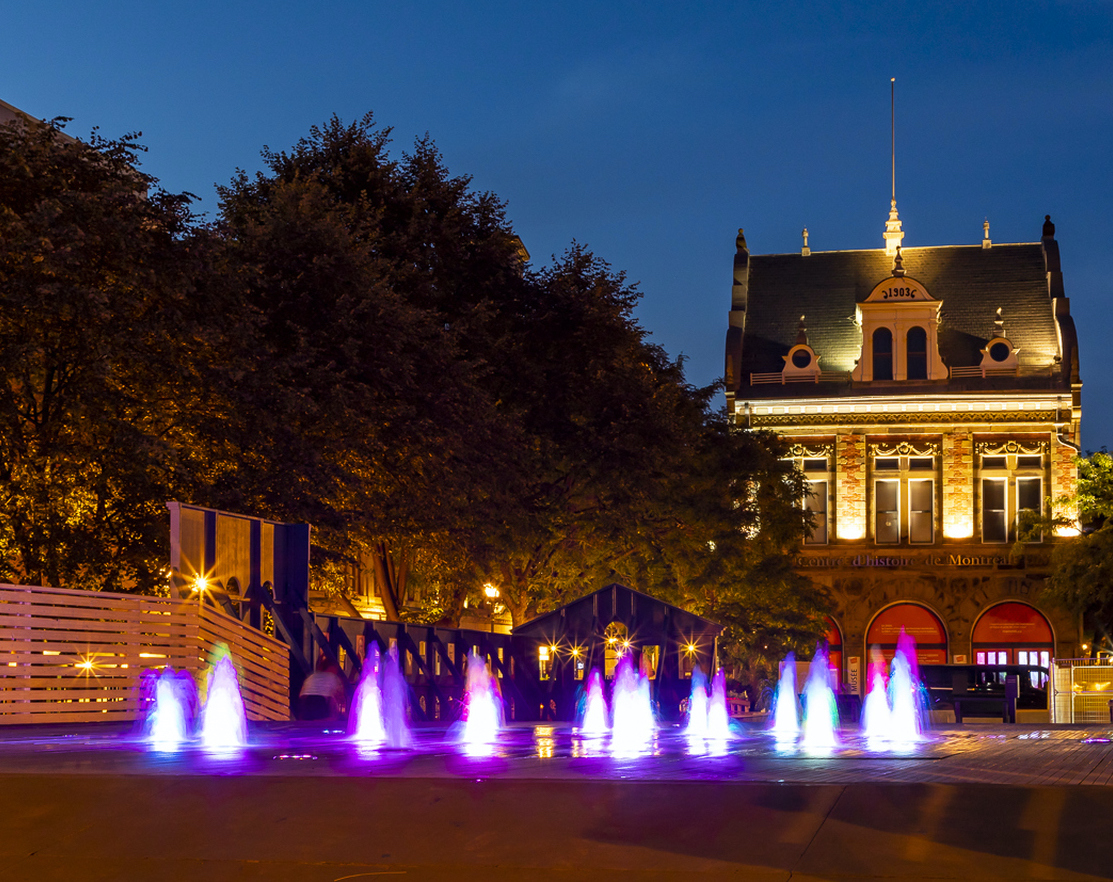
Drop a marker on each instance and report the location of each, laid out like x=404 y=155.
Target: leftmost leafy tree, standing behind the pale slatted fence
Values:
x=96 y=338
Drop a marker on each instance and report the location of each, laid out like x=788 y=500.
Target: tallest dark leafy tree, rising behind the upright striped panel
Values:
x=363 y=287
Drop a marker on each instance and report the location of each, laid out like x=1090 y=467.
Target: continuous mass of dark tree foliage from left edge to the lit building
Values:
x=356 y=341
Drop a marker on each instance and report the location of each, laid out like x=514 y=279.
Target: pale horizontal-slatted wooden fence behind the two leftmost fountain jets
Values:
x=75 y=656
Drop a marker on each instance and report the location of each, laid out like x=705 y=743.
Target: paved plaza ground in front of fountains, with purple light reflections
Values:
x=974 y=802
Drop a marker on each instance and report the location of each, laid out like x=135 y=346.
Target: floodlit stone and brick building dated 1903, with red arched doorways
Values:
x=931 y=396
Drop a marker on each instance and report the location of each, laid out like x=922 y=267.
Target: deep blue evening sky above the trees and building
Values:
x=648 y=132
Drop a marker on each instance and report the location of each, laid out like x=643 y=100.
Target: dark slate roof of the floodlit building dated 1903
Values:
x=971 y=281
